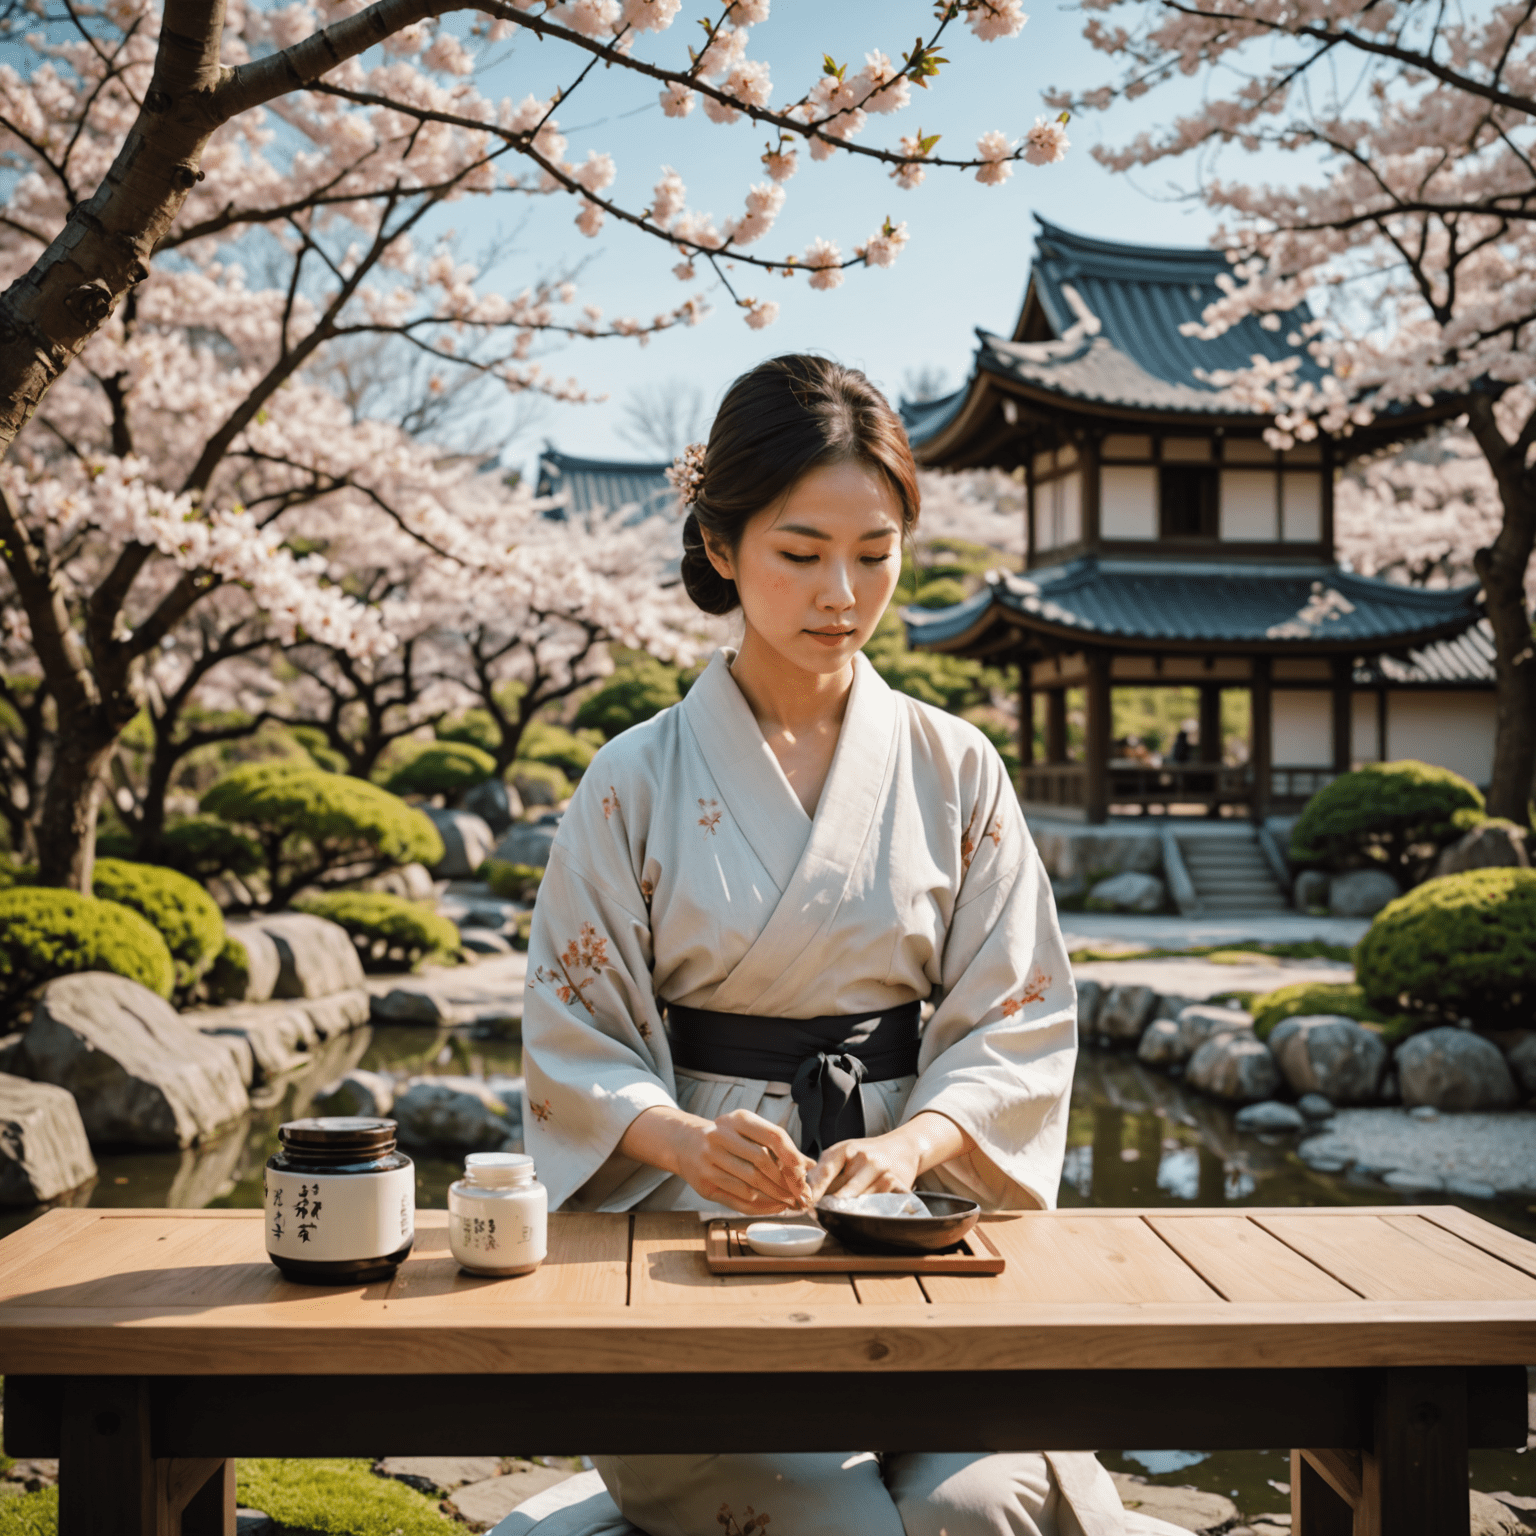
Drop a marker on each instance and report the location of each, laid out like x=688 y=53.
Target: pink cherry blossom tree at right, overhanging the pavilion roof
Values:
x=1411 y=228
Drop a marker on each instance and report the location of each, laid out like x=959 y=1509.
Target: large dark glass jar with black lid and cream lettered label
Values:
x=340 y=1202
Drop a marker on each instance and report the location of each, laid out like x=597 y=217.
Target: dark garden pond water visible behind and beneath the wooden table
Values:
x=1136 y=1139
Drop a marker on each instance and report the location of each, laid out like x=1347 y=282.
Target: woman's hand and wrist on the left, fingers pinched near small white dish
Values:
x=738 y=1160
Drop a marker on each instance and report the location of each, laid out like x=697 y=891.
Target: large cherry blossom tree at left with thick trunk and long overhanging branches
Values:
x=210 y=199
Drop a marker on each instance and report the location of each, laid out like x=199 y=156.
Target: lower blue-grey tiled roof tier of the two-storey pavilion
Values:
x=1150 y=603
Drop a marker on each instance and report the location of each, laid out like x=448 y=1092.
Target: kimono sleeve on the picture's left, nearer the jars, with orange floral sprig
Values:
x=594 y=1047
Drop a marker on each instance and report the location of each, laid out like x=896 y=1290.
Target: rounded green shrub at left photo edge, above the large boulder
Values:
x=47 y=933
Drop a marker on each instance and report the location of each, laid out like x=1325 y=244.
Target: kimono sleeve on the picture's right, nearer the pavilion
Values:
x=999 y=1053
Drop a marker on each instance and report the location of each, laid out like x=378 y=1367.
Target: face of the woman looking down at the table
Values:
x=816 y=571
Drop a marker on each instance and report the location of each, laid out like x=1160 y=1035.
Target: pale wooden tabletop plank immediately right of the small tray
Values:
x=1061 y=1257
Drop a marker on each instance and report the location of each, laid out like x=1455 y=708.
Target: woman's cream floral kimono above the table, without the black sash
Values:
x=686 y=870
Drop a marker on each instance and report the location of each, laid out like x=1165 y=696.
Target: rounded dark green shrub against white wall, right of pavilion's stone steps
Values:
x=1383 y=815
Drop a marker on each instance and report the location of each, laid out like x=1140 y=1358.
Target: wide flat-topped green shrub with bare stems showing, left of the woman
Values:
x=313 y=824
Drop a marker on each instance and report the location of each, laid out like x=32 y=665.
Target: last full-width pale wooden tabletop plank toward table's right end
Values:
x=1400 y=1259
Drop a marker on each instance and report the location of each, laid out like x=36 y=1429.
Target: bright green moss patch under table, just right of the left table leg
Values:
x=337 y=1498
